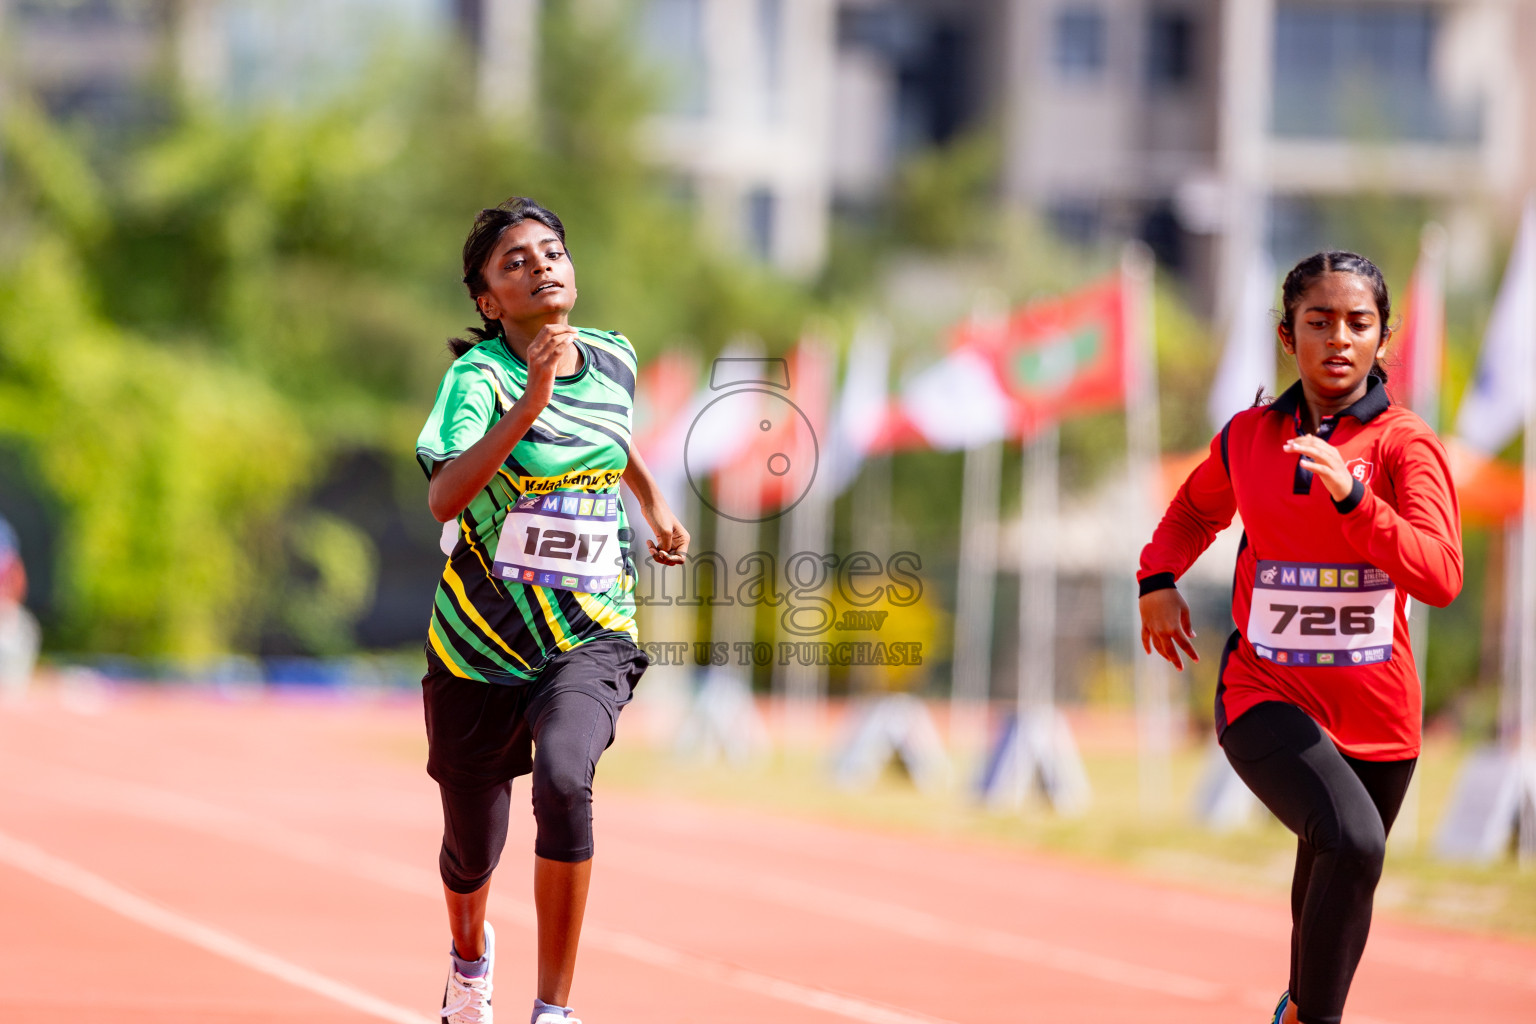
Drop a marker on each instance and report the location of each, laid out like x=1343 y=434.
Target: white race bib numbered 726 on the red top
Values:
x=1322 y=615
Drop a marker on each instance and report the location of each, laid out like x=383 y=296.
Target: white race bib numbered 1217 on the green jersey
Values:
x=563 y=540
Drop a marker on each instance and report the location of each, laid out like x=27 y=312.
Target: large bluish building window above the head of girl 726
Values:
x=1365 y=70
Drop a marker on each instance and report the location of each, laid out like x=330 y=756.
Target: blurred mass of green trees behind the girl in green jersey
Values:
x=197 y=328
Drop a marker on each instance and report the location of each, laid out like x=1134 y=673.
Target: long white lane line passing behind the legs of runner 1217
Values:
x=210 y=819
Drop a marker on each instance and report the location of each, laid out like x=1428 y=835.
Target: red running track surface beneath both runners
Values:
x=179 y=857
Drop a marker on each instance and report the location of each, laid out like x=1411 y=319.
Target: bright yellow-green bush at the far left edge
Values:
x=170 y=467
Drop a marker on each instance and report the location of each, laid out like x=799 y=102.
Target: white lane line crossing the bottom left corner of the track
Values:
x=90 y=887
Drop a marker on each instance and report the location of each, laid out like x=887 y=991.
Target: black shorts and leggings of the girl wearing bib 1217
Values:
x=482 y=736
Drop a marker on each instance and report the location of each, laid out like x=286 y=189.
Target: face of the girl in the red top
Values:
x=1336 y=335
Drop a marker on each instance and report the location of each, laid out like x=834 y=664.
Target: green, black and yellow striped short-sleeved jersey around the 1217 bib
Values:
x=500 y=630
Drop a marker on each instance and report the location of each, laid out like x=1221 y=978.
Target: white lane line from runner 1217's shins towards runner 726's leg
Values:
x=912 y=923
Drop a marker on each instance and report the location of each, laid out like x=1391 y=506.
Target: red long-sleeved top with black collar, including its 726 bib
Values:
x=1309 y=569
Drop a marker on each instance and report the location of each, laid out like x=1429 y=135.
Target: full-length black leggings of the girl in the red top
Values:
x=1342 y=810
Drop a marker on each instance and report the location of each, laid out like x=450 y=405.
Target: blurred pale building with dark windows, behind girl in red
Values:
x=1210 y=128
